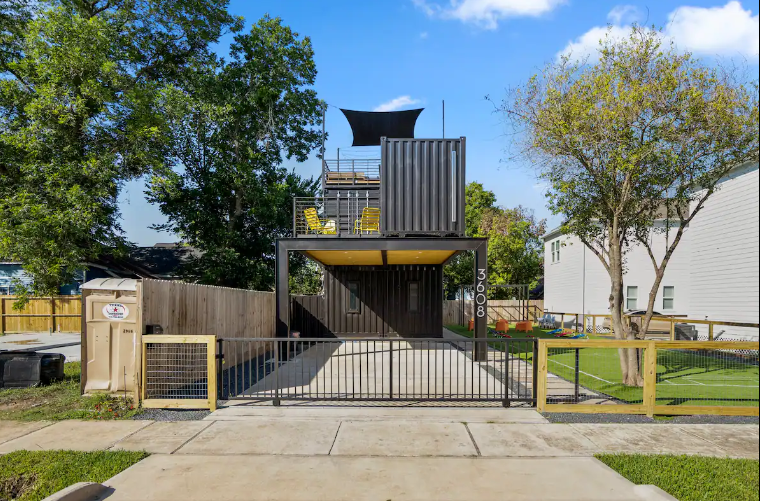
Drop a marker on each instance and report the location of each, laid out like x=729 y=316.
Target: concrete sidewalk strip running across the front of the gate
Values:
x=394 y=432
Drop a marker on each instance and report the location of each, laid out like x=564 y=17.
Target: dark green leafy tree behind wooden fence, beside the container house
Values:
x=231 y=126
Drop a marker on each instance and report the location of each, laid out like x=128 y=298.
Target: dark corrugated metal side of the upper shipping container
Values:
x=420 y=191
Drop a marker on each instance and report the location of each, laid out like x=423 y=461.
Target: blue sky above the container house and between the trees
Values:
x=374 y=54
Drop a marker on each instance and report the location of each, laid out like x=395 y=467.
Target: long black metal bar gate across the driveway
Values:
x=378 y=369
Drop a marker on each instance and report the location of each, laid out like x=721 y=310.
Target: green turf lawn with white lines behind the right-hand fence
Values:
x=684 y=378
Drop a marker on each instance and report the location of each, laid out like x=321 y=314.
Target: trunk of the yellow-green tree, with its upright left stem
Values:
x=629 y=360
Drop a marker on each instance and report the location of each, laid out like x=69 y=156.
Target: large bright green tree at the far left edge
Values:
x=77 y=118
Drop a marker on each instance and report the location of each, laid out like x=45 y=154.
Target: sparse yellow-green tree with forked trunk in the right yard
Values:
x=643 y=135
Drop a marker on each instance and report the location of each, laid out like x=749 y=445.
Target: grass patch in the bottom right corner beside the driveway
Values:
x=690 y=478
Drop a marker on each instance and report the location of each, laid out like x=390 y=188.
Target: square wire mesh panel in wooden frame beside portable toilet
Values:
x=179 y=371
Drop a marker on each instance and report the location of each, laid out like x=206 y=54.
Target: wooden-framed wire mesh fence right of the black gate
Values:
x=679 y=377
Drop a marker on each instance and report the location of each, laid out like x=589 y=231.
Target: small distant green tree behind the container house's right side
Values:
x=515 y=248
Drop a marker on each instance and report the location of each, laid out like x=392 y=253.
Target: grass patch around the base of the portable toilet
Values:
x=61 y=400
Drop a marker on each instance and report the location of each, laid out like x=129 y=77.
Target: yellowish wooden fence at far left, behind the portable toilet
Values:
x=41 y=314
